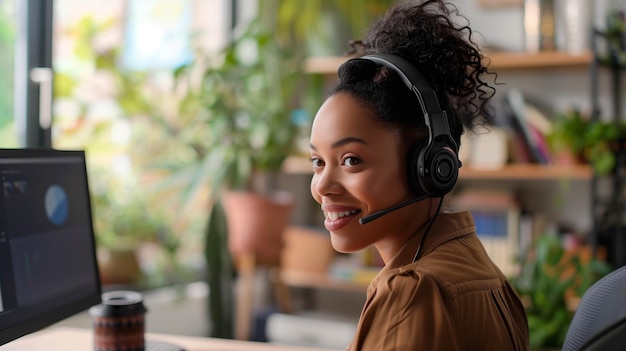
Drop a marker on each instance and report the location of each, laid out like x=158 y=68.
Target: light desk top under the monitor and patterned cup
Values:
x=79 y=339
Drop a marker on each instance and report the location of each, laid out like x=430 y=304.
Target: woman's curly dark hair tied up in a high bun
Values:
x=425 y=34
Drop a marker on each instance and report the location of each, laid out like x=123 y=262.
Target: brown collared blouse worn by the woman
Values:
x=453 y=298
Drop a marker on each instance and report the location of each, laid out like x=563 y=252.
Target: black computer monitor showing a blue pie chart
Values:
x=48 y=267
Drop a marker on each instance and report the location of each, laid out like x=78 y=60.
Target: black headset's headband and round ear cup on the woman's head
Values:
x=434 y=165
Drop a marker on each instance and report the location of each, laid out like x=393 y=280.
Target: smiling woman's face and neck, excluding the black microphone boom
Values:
x=359 y=168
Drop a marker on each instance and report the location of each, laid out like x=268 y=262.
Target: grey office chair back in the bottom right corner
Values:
x=600 y=319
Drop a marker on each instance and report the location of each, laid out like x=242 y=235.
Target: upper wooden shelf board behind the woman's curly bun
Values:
x=499 y=61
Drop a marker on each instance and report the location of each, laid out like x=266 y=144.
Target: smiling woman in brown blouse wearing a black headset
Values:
x=384 y=151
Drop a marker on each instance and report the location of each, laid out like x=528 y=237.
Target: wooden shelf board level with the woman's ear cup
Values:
x=515 y=172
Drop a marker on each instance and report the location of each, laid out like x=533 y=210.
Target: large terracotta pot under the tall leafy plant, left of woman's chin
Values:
x=256 y=224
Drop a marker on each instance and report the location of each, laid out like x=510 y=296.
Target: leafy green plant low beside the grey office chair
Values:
x=551 y=278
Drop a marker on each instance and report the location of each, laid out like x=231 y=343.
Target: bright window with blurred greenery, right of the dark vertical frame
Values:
x=114 y=97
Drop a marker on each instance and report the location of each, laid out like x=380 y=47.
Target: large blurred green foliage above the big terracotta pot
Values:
x=240 y=112
